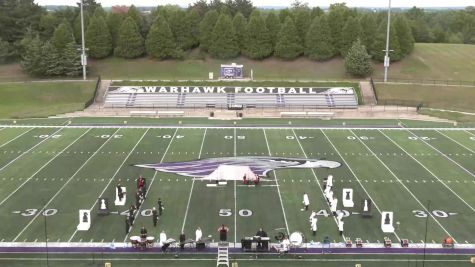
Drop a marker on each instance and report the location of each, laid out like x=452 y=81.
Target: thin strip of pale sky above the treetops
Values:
x=322 y=3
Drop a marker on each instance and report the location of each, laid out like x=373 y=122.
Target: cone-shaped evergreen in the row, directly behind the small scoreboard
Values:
x=223 y=42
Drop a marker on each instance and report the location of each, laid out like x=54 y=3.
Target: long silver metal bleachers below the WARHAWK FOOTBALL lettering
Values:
x=224 y=100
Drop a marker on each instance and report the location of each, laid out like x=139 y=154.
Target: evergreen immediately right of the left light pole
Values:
x=98 y=38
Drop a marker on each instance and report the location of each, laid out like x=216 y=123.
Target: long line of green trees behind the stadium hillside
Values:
x=47 y=42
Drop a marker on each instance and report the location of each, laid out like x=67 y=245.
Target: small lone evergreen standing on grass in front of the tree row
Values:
x=357 y=60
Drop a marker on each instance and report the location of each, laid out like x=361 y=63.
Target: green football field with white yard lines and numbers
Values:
x=425 y=176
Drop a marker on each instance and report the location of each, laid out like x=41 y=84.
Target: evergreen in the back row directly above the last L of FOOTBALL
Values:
x=318 y=42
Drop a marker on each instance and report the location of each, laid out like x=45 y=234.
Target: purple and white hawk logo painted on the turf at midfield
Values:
x=258 y=165
